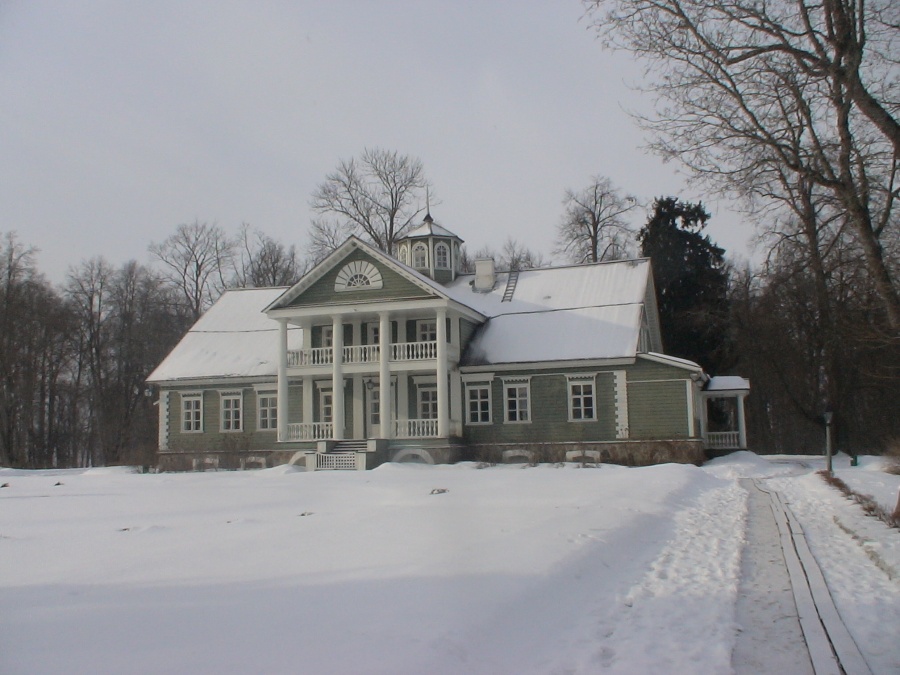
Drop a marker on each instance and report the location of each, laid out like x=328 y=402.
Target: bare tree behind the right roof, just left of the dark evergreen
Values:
x=592 y=227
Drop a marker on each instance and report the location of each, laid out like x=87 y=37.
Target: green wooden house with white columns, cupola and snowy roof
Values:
x=371 y=358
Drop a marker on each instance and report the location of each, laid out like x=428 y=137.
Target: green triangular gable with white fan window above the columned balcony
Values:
x=392 y=285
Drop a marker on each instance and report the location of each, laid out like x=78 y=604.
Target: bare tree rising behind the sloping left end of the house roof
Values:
x=197 y=260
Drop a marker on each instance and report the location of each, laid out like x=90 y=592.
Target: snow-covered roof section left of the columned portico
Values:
x=232 y=339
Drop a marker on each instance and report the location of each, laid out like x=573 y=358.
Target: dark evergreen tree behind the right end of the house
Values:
x=691 y=283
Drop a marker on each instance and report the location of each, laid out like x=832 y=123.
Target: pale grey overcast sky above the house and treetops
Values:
x=122 y=119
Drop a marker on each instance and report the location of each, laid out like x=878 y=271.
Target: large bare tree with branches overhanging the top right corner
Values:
x=744 y=86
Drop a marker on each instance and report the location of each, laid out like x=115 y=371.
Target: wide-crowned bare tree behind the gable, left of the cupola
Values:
x=376 y=196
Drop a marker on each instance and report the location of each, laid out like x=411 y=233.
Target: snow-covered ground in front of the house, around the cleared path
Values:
x=413 y=569
